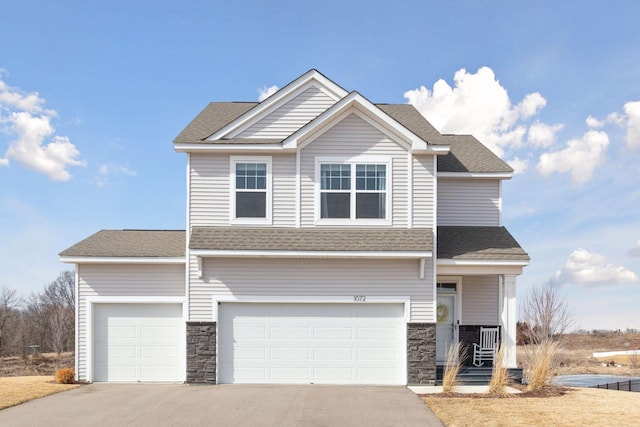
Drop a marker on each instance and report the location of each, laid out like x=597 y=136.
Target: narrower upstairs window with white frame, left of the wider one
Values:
x=251 y=189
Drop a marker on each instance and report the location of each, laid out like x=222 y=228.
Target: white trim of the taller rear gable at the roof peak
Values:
x=311 y=79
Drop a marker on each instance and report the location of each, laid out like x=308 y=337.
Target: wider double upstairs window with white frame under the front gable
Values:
x=353 y=190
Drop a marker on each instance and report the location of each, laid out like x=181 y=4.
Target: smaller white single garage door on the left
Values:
x=138 y=342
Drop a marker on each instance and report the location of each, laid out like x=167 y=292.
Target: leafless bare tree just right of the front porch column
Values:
x=545 y=314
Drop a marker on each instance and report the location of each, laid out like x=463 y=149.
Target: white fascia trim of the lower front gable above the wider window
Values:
x=360 y=103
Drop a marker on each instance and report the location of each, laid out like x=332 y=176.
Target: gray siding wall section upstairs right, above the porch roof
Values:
x=469 y=202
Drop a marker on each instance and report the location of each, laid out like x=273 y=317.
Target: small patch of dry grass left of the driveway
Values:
x=17 y=390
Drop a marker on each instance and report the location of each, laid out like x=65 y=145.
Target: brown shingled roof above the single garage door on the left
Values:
x=130 y=243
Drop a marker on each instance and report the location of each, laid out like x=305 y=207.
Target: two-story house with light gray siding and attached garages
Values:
x=329 y=240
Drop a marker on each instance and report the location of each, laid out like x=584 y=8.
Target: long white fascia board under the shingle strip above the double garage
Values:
x=209 y=253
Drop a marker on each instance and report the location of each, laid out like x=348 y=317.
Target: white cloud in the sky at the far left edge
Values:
x=24 y=116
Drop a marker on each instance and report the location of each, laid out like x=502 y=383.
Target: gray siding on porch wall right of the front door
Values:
x=480 y=300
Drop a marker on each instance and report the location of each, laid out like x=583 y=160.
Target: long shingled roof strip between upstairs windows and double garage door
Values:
x=312 y=239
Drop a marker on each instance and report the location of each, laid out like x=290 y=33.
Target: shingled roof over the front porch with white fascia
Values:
x=478 y=243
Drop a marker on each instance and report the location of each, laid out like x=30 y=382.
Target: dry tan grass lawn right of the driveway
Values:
x=578 y=407
